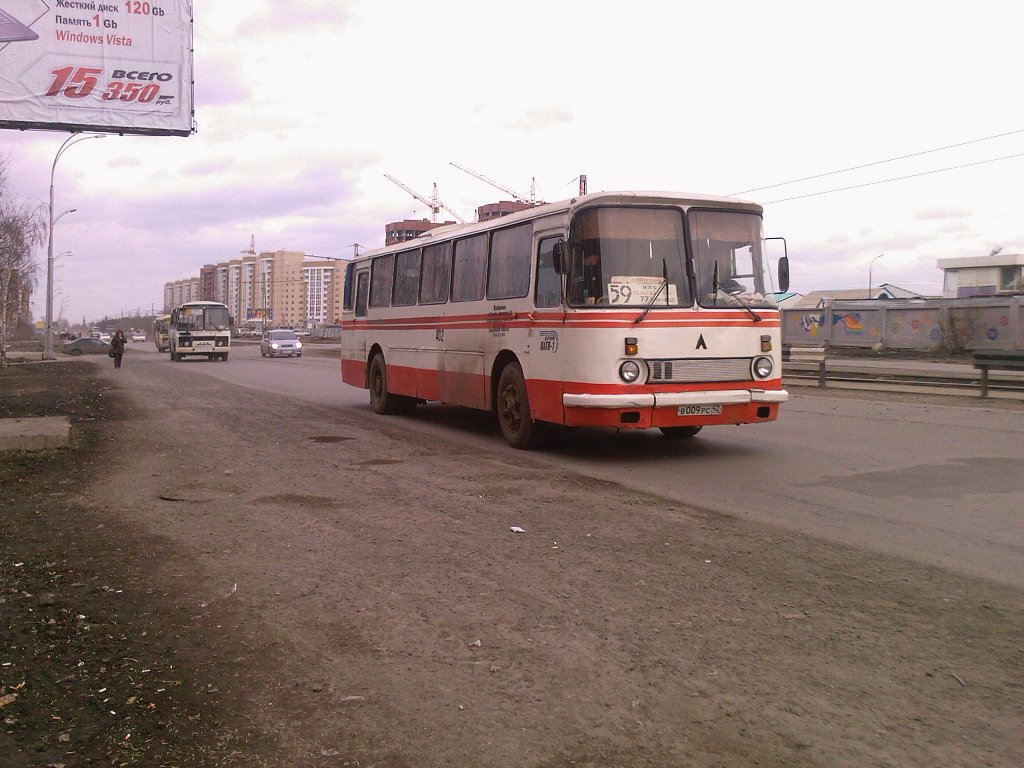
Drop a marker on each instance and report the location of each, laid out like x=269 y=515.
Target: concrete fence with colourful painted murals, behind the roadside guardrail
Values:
x=943 y=325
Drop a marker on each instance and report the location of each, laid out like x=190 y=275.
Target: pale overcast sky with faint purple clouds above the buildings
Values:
x=303 y=107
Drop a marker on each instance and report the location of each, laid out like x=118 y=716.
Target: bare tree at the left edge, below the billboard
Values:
x=22 y=229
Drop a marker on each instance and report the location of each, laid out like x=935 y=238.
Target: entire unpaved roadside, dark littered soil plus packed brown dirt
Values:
x=268 y=583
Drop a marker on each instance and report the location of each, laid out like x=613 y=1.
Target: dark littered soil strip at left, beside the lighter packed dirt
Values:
x=102 y=664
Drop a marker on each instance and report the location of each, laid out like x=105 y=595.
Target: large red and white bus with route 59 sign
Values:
x=615 y=310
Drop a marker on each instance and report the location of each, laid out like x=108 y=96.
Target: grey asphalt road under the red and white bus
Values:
x=935 y=482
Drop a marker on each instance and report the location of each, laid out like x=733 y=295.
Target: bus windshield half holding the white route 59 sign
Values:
x=628 y=258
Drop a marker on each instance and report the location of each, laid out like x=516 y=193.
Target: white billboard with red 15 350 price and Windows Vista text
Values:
x=115 y=67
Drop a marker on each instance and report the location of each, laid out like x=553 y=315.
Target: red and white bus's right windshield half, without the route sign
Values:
x=733 y=242
